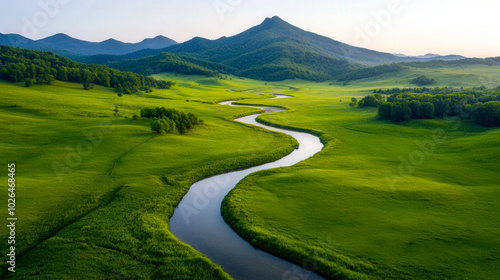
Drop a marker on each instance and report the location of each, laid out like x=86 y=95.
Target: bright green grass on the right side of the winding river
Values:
x=345 y=212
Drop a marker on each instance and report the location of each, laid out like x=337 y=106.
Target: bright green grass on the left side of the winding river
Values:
x=88 y=224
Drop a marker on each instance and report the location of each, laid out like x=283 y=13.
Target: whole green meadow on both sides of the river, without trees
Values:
x=95 y=188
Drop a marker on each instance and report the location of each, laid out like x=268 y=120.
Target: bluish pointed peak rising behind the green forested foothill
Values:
x=275 y=31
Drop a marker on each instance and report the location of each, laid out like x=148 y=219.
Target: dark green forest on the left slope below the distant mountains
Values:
x=38 y=67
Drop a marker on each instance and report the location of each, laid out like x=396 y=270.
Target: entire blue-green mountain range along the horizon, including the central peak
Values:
x=273 y=50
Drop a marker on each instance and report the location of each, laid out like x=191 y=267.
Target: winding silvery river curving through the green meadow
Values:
x=197 y=220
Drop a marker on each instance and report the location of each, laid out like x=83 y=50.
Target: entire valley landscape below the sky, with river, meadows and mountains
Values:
x=108 y=150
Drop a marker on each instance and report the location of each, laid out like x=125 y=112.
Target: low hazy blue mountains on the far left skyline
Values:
x=68 y=46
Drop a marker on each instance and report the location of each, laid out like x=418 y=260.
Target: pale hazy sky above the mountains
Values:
x=412 y=27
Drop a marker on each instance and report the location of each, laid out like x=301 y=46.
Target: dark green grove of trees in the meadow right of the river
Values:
x=482 y=105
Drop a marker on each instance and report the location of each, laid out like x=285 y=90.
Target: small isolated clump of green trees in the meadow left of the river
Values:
x=170 y=120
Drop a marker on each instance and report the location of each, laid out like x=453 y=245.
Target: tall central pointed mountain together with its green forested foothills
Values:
x=273 y=50
